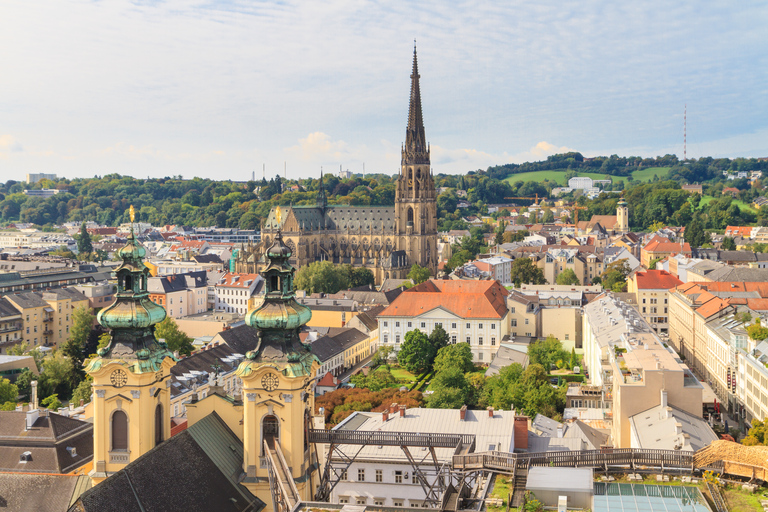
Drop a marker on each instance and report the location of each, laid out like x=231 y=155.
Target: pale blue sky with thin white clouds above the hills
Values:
x=224 y=89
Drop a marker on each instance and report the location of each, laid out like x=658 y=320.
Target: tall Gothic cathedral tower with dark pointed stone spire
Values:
x=415 y=195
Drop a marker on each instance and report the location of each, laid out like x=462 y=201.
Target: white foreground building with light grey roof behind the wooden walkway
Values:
x=383 y=476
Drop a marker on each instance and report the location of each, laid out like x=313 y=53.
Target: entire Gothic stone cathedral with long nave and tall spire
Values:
x=387 y=240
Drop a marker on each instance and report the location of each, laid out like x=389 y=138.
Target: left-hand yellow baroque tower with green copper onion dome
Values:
x=131 y=375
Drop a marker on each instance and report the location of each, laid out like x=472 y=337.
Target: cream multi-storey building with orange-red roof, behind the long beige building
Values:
x=652 y=290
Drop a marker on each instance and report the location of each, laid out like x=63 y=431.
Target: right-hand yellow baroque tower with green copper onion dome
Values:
x=278 y=384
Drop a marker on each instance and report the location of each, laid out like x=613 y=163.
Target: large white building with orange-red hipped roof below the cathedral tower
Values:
x=474 y=312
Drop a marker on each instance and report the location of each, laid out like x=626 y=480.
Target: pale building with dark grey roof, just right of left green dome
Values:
x=180 y=294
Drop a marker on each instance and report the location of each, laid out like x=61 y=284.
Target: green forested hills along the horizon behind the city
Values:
x=202 y=202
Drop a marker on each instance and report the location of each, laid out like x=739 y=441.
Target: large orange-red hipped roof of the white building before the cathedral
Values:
x=466 y=299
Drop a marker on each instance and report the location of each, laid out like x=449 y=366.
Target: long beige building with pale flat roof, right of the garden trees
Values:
x=623 y=352
